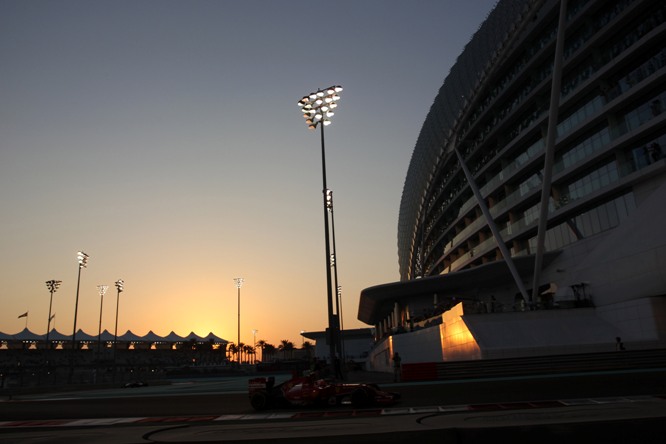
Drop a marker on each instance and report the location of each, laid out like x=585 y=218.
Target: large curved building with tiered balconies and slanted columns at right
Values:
x=497 y=146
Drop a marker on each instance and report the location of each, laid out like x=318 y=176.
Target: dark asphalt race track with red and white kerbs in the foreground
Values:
x=601 y=407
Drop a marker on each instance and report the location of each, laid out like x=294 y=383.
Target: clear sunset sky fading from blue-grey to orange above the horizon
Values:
x=163 y=138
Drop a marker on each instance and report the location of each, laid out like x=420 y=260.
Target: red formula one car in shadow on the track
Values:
x=312 y=391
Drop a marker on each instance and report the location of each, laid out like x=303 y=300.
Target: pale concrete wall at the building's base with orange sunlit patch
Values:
x=641 y=324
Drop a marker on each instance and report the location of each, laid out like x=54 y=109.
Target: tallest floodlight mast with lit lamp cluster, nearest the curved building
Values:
x=317 y=109
